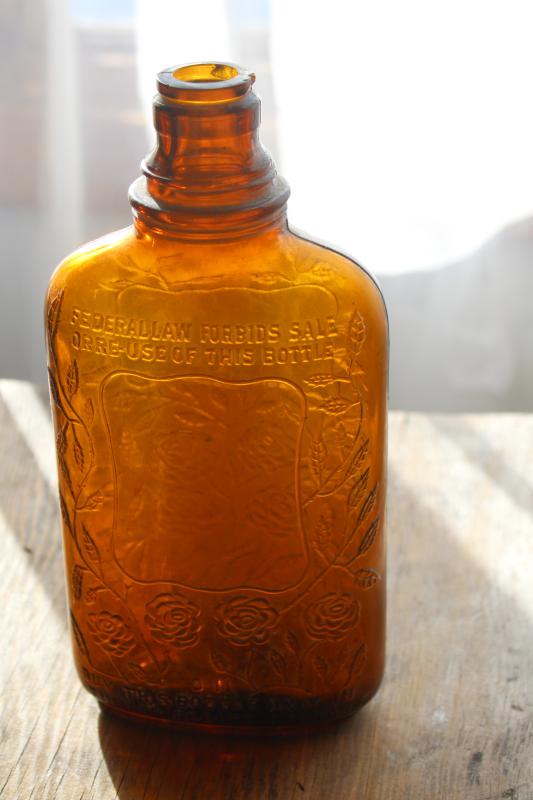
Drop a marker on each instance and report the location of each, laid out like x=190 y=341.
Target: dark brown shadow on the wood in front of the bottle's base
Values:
x=164 y=764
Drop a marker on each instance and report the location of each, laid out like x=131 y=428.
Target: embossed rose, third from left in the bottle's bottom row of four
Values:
x=246 y=620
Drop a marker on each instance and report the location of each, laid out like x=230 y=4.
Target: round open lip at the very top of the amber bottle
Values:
x=205 y=82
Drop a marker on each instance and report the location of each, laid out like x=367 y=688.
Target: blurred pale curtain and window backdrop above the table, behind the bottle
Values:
x=404 y=129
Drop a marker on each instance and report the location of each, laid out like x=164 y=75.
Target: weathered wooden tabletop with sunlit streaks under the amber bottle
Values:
x=454 y=718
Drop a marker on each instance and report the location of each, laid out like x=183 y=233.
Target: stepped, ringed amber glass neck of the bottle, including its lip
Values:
x=209 y=176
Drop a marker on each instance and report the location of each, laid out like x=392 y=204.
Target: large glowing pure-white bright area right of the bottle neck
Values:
x=411 y=121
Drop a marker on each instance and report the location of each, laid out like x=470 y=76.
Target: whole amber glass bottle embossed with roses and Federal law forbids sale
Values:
x=218 y=386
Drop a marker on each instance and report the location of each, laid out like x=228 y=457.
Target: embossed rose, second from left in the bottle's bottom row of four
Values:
x=173 y=619
